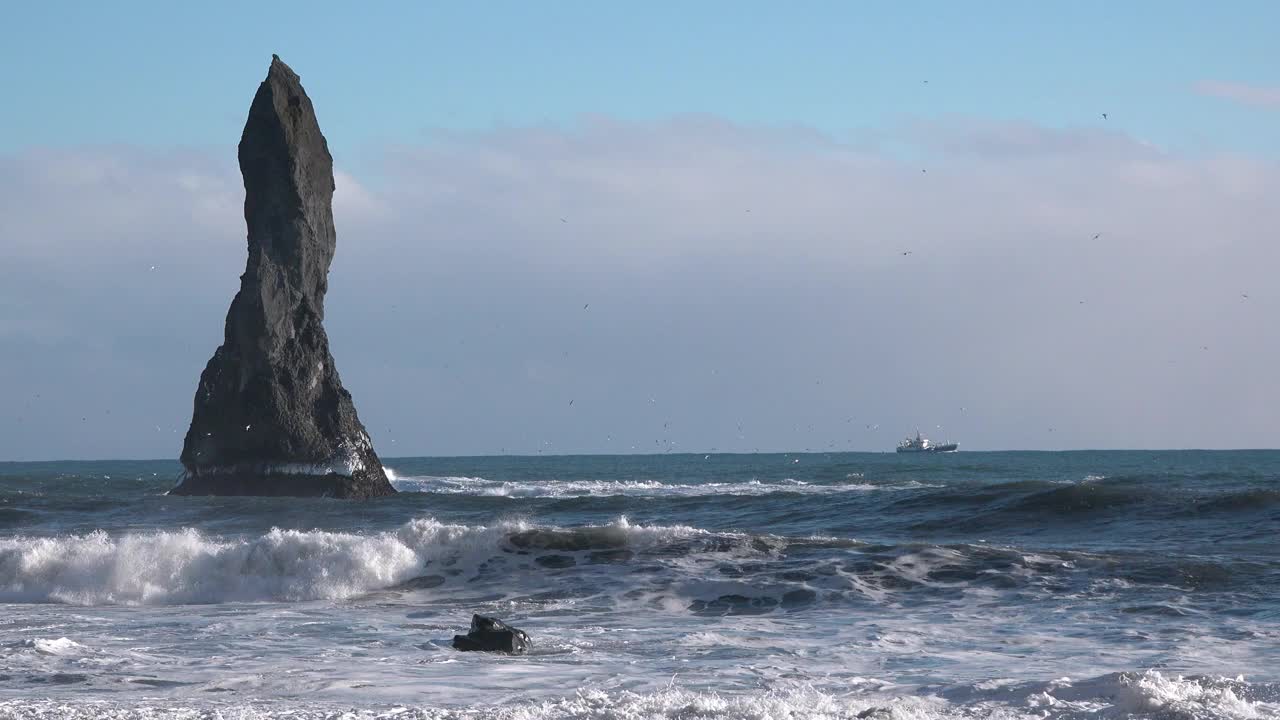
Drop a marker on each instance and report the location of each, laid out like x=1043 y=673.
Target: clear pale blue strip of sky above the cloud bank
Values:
x=176 y=74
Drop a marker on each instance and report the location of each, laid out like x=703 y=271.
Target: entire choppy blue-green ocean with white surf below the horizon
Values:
x=804 y=586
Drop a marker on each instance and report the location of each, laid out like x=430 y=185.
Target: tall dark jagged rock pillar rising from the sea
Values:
x=272 y=416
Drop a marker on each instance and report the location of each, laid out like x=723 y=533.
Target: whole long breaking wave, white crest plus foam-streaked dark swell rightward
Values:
x=669 y=567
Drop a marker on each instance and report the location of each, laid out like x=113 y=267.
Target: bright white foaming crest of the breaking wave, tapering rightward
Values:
x=188 y=567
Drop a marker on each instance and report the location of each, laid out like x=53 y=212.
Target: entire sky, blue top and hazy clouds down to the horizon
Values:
x=714 y=226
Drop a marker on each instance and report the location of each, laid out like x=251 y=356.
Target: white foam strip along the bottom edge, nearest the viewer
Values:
x=1149 y=696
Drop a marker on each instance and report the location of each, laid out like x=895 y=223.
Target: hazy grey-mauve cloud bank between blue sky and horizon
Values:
x=734 y=276
